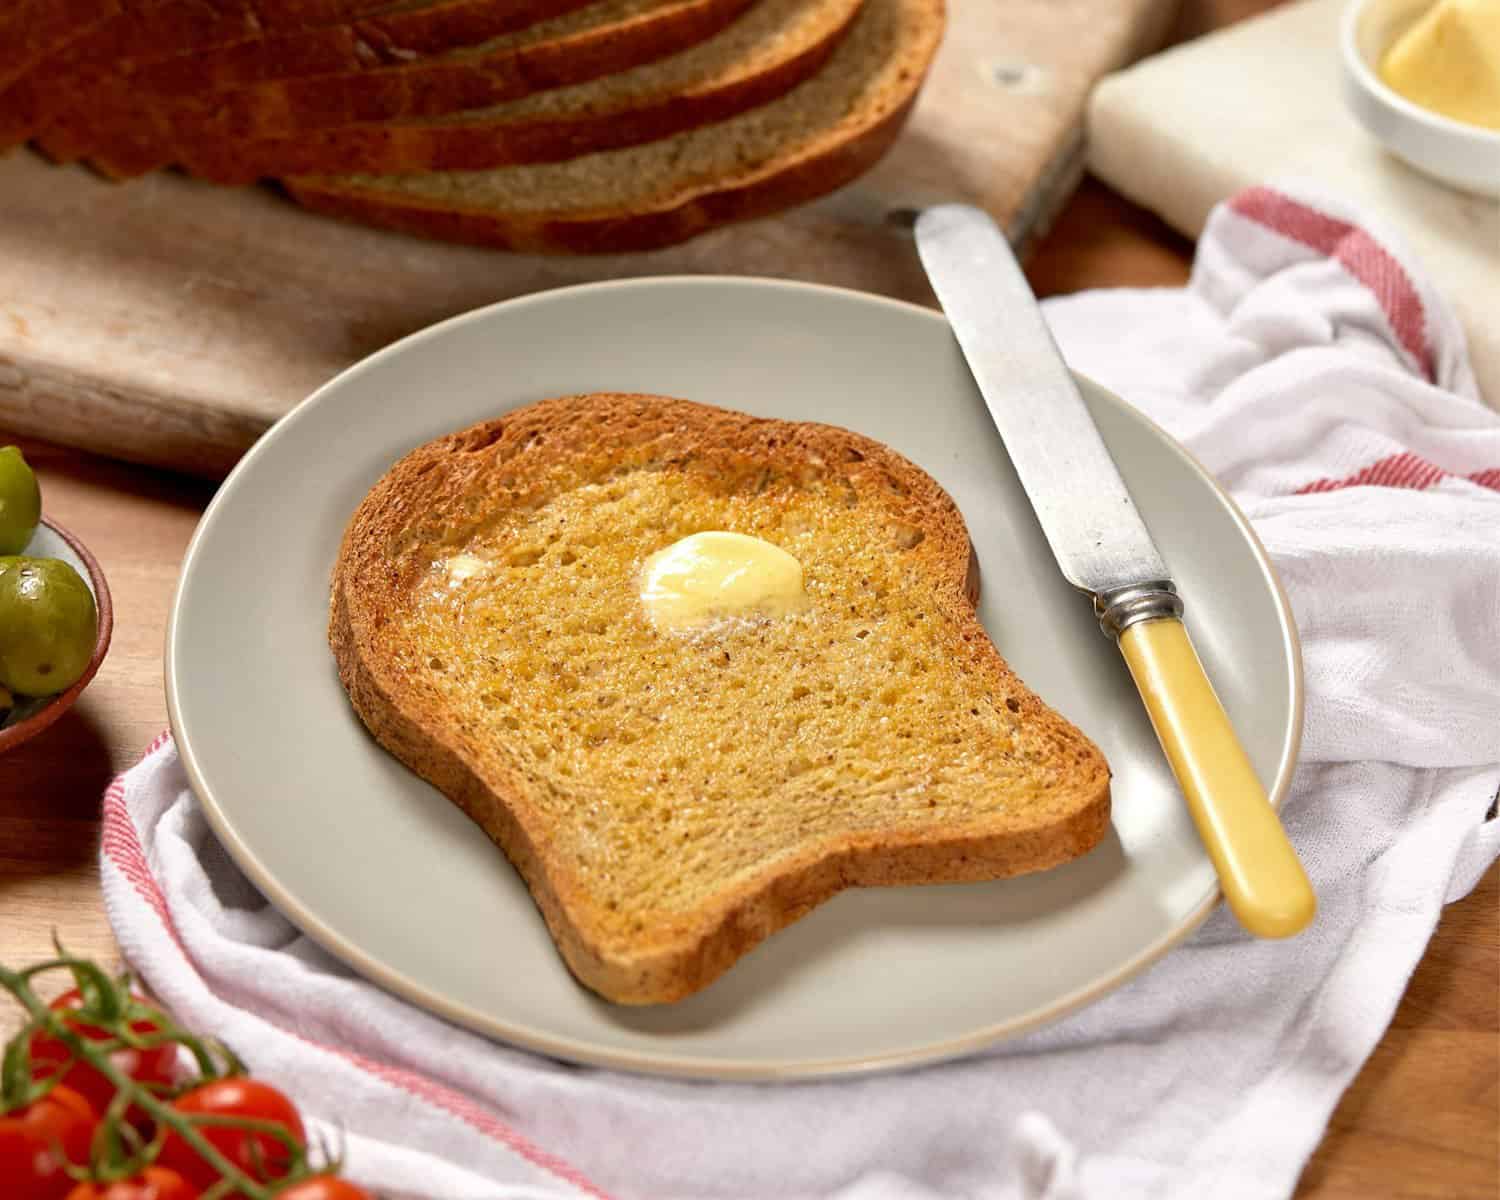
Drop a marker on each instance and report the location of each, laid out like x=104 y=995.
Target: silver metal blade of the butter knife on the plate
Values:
x=1081 y=500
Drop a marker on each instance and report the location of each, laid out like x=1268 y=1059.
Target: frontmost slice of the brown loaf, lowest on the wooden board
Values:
x=814 y=140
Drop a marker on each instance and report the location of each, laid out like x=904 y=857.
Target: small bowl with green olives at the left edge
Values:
x=55 y=610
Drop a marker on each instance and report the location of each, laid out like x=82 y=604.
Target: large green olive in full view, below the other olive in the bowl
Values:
x=49 y=626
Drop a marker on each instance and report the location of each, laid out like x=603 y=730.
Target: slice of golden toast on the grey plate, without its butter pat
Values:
x=674 y=797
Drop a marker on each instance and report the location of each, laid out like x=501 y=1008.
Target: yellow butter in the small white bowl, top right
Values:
x=1450 y=62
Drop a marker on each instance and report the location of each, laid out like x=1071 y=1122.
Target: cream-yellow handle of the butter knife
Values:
x=1259 y=872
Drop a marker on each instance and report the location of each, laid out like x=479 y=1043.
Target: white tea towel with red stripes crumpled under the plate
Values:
x=1309 y=365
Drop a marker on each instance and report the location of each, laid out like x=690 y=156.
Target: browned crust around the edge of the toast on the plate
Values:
x=382 y=557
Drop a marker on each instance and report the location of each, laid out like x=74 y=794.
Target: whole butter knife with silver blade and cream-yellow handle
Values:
x=1105 y=550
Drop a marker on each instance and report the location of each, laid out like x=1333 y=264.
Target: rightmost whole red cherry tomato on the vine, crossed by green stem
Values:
x=259 y=1156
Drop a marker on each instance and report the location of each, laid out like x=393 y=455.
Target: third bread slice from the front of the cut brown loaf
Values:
x=595 y=41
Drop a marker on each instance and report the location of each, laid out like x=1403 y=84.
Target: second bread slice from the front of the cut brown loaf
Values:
x=760 y=58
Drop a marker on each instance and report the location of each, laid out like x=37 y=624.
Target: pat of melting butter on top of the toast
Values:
x=715 y=575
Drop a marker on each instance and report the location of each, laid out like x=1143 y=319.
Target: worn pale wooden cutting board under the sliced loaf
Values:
x=170 y=322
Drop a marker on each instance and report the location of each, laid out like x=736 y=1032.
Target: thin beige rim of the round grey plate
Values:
x=647 y=1063
